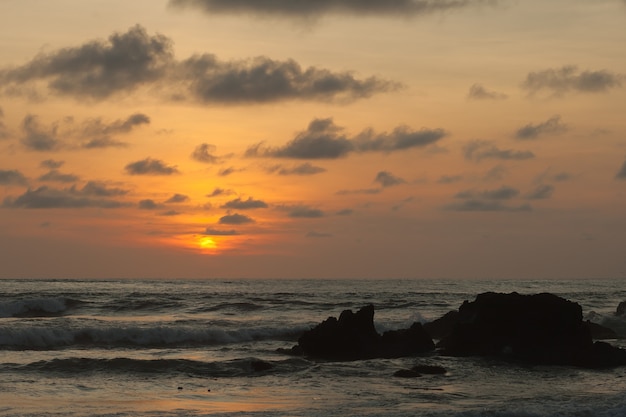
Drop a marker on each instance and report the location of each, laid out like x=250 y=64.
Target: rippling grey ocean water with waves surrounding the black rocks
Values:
x=189 y=348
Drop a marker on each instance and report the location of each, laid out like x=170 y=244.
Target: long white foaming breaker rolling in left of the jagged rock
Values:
x=44 y=338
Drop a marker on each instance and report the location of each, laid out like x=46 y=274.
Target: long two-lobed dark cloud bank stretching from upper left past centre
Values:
x=99 y=69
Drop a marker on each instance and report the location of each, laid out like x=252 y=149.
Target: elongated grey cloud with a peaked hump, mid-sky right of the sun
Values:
x=323 y=139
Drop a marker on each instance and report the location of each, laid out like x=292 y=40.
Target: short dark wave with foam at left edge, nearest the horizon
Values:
x=37 y=307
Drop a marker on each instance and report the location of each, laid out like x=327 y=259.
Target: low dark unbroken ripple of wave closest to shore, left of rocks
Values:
x=230 y=368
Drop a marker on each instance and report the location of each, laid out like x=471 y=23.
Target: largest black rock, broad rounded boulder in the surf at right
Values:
x=537 y=329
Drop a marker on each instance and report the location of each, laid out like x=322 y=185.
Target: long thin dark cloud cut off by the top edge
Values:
x=314 y=9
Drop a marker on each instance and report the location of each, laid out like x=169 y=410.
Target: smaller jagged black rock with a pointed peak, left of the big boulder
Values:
x=353 y=336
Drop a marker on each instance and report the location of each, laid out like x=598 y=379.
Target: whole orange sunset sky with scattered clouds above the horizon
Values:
x=313 y=139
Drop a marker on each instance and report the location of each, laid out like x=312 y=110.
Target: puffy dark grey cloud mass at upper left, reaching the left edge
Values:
x=98 y=69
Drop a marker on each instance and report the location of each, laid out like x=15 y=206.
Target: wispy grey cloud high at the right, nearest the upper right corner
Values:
x=566 y=79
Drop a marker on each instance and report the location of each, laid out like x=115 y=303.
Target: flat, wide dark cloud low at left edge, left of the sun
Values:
x=45 y=197
